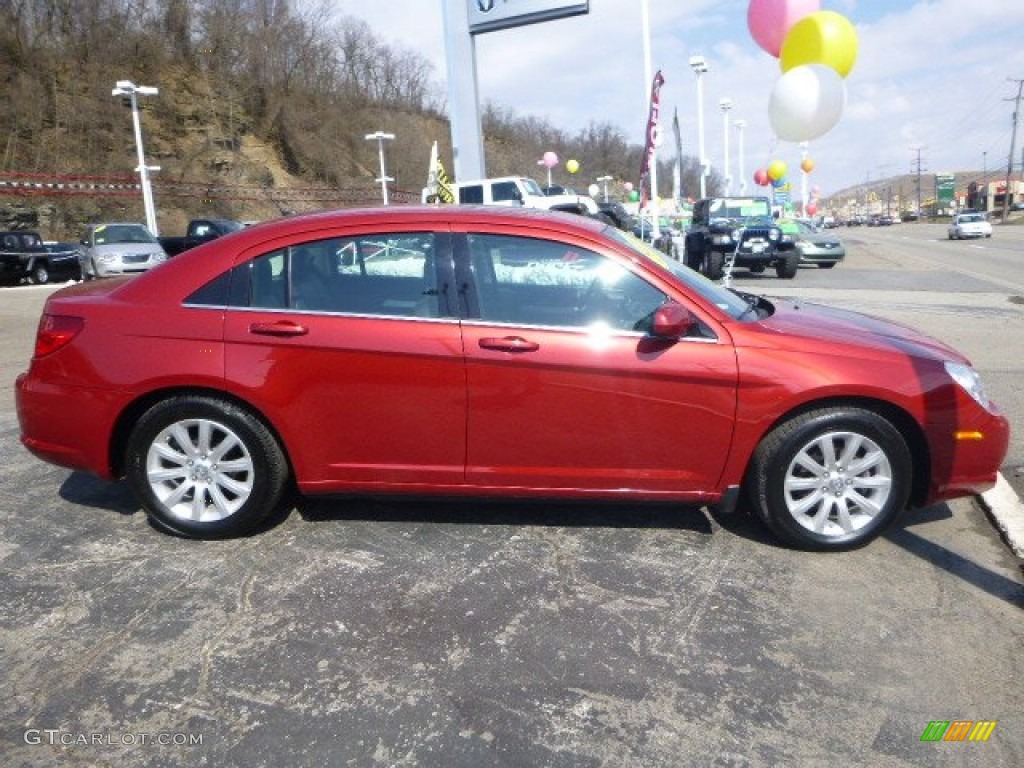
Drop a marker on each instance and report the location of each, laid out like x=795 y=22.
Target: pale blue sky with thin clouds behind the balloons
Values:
x=930 y=74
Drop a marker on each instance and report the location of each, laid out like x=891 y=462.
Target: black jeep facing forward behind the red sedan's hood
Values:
x=741 y=229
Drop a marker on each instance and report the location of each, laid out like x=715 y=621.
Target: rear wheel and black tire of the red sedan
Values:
x=221 y=486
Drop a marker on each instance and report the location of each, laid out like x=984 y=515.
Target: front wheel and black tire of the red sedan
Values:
x=845 y=508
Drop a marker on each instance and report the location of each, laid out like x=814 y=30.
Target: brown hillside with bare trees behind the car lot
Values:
x=264 y=109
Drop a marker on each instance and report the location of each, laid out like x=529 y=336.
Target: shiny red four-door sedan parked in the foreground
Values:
x=463 y=351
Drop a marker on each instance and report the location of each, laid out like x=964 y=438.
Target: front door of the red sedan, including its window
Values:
x=568 y=393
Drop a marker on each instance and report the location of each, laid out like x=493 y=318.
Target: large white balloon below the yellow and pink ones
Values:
x=806 y=103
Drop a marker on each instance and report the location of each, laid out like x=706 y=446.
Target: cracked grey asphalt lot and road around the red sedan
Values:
x=374 y=633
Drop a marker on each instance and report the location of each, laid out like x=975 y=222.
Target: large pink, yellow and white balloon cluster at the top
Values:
x=817 y=51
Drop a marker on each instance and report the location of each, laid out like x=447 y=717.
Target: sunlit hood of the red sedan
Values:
x=805 y=322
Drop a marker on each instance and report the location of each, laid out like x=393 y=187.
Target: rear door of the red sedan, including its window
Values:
x=348 y=344
